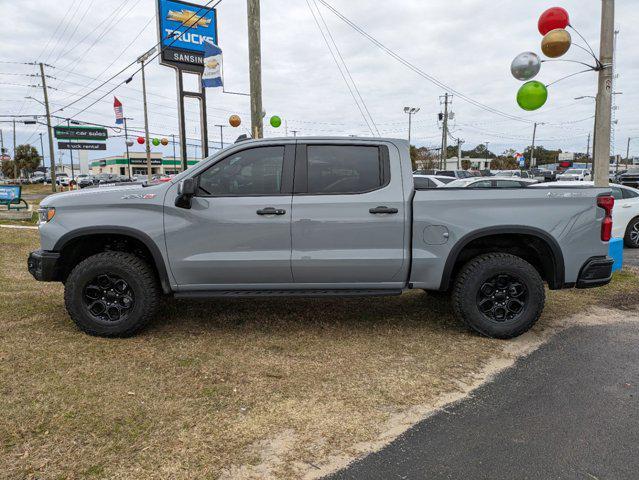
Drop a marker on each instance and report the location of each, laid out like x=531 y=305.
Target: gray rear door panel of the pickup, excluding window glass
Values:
x=336 y=237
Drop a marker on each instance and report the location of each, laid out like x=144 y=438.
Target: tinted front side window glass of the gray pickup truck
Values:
x=256 y=171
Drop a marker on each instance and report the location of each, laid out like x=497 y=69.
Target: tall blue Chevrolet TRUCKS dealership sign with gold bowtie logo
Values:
x=184 y=28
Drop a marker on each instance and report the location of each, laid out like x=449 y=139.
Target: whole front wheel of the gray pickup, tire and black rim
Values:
x=112 y=294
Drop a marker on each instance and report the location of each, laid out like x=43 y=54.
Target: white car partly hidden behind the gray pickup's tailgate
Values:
x=625 y=213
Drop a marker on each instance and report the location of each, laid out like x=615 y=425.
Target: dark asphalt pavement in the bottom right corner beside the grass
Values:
x=570 y=410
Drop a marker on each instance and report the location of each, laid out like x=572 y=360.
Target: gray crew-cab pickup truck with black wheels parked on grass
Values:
x=319 y=217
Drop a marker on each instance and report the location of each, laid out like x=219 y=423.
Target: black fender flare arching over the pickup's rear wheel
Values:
x=557 y=280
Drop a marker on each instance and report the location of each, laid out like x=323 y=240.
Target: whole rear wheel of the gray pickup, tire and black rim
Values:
x=498 y=295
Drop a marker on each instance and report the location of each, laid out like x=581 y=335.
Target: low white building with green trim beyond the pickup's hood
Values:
x=118 y=165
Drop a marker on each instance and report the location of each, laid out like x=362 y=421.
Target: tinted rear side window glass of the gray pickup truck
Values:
x=341 y=169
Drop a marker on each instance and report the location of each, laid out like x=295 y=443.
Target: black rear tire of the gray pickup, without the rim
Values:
x=474 y=276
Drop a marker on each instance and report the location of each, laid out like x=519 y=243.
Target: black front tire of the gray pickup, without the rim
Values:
x=140 y=280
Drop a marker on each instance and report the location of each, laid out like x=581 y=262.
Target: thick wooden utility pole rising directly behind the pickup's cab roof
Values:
x=255 y=67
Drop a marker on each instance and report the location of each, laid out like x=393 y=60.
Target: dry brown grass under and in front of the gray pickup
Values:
x=265 y=388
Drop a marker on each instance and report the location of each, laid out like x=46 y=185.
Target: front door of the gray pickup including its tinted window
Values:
x=241 y=238
